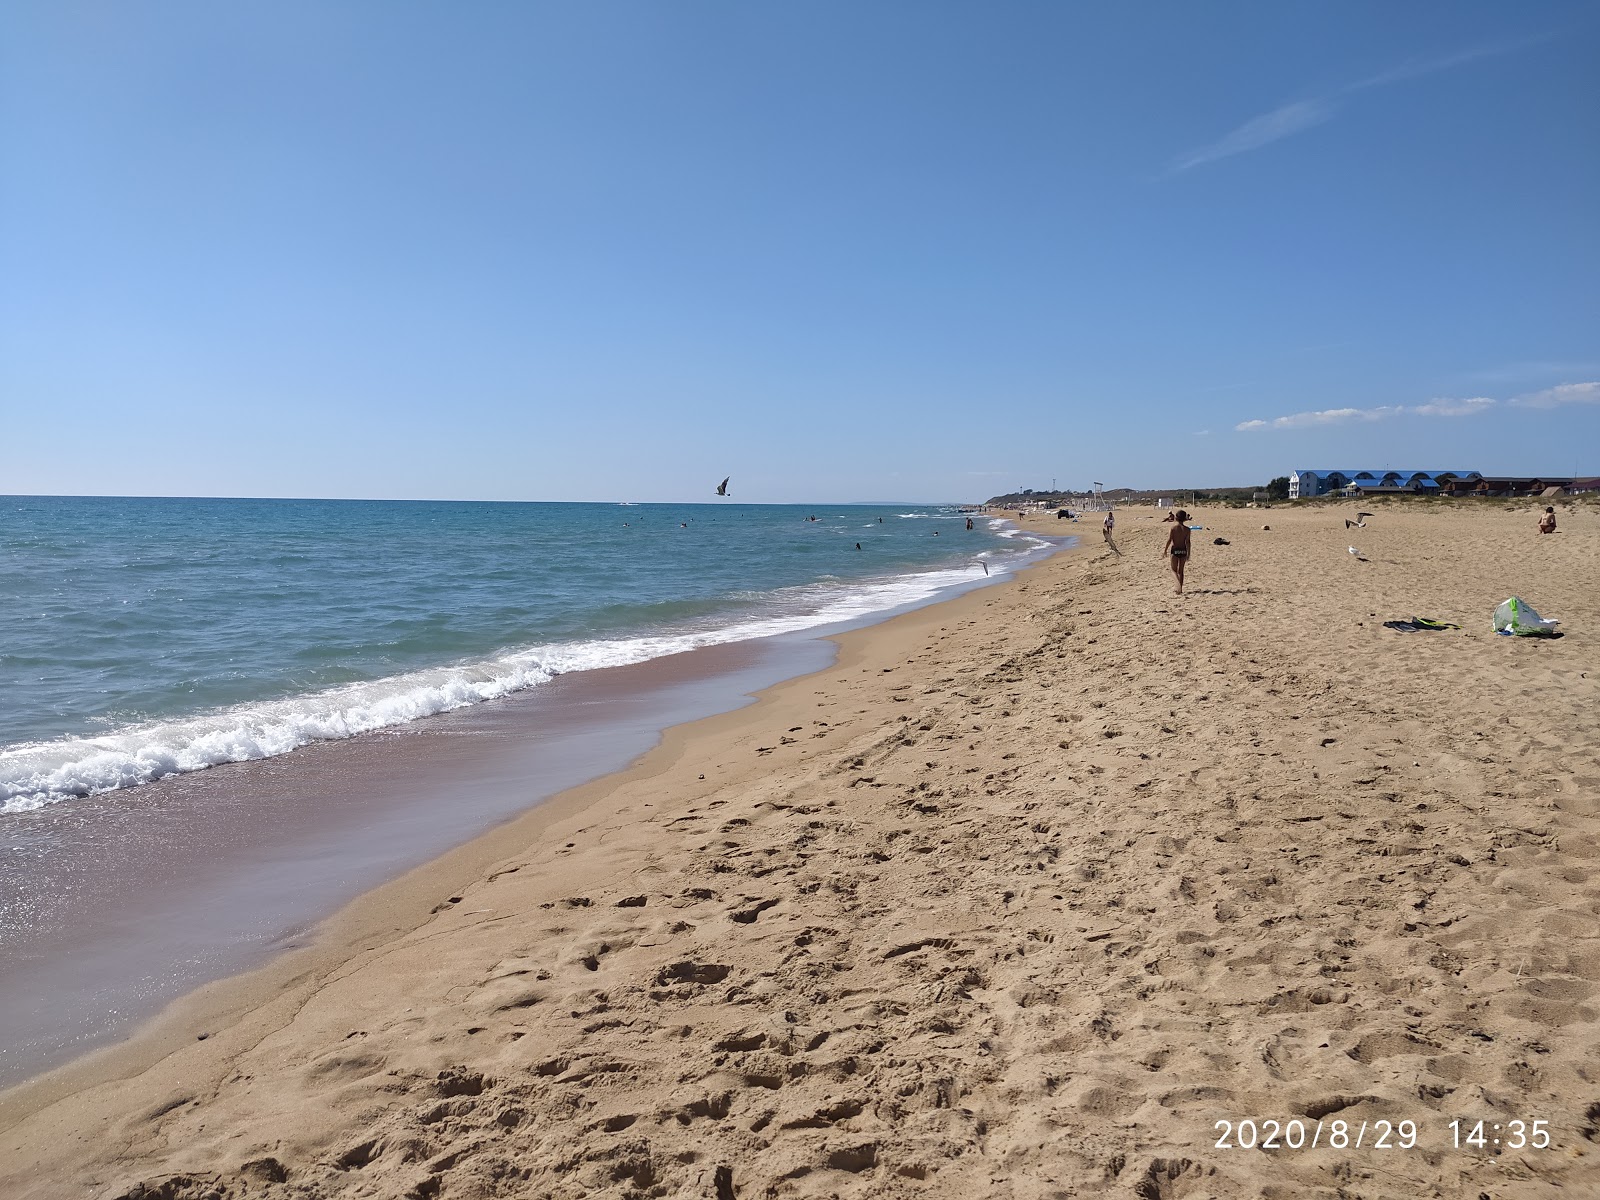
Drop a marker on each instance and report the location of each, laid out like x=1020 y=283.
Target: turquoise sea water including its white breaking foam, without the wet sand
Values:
x=150 y=638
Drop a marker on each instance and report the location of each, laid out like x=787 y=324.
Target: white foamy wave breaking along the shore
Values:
x=36 y=775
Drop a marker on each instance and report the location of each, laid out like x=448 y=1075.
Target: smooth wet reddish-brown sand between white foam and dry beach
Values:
x=129 y=900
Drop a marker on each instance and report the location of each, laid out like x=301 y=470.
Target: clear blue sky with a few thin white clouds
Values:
x=900 y=250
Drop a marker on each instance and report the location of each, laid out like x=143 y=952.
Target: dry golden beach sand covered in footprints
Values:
x=1018 y=900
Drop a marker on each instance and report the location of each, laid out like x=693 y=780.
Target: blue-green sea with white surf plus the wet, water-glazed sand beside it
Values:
x=220 y=719
